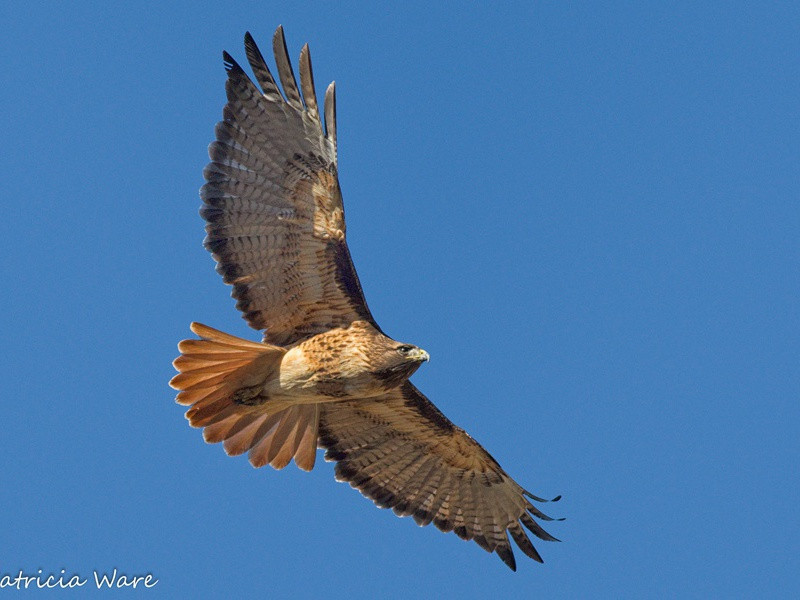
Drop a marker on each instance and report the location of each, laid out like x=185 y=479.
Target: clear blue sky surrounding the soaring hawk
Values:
x=588 y=216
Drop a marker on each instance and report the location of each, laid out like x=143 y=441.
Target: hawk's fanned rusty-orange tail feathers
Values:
x=212 y=370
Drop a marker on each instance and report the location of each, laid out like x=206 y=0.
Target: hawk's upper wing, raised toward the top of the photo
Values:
x=273 y=205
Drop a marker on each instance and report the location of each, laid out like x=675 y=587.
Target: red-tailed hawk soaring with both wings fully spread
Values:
x=325 y=374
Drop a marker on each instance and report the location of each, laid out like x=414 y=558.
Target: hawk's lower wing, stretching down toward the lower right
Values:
x=403 y=453
